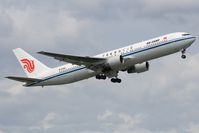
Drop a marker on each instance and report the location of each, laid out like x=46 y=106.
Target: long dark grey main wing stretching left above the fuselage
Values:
x=89 y=62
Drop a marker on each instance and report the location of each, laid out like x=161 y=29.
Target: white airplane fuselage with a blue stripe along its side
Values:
x=132 y=54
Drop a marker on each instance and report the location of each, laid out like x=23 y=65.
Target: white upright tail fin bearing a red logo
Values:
x=32 y=67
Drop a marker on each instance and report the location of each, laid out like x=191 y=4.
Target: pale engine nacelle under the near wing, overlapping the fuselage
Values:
x=115 y=62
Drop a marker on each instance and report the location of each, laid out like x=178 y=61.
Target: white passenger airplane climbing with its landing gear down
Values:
x=132 y=59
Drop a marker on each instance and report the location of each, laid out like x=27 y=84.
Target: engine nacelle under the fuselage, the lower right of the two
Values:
x=138 y=68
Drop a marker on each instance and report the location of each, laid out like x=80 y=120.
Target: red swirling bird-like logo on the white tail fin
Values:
x=28 y=65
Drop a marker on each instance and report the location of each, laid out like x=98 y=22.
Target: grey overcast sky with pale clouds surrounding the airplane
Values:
x=163 y=100
